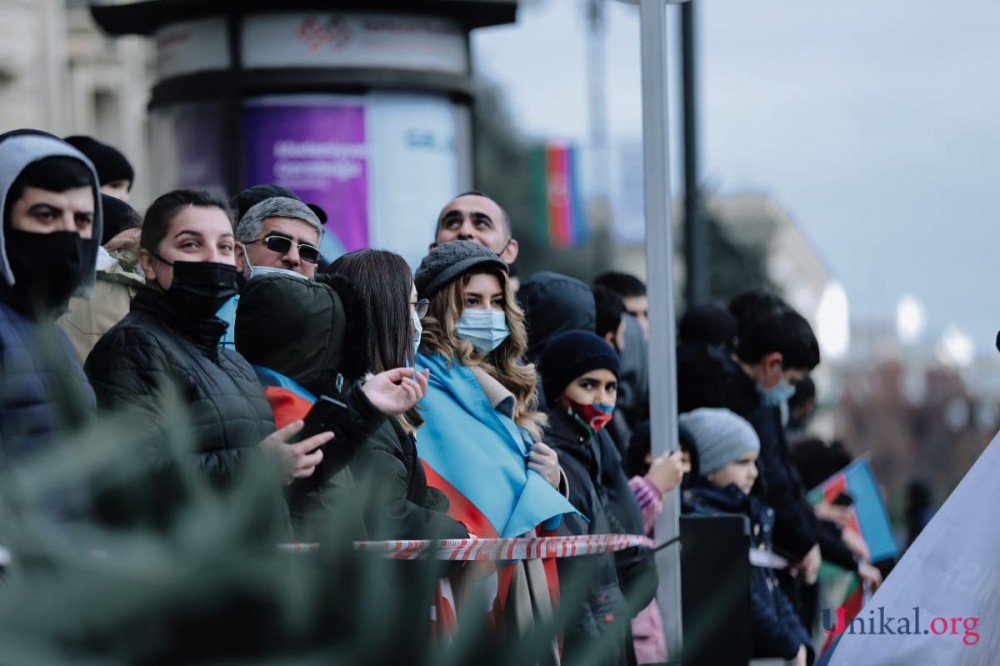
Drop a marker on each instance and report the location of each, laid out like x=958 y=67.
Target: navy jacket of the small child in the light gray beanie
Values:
x=776 y=629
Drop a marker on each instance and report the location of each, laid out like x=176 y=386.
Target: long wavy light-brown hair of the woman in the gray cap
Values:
x=506 y=363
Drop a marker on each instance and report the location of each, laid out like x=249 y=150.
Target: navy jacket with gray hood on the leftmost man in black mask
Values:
x=42 y=388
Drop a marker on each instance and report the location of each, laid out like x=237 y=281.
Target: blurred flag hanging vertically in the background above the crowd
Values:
x=558 y=207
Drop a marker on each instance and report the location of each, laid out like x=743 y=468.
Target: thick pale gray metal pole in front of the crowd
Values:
x=659 y=270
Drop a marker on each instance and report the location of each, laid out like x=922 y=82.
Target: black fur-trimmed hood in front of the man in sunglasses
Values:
x=308 y=330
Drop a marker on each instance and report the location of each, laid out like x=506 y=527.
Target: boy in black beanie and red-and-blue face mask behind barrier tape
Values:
x=580 y=381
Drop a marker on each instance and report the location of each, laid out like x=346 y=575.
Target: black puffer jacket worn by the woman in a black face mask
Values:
x=155 y=351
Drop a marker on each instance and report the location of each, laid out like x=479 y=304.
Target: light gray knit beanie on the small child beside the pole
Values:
x=720 y=436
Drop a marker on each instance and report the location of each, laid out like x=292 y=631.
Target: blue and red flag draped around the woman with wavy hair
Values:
x=476 y=456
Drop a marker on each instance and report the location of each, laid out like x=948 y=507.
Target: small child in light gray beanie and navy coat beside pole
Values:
x=727 y=454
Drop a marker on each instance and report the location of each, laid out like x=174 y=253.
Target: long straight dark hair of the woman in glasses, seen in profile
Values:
x=385 y=280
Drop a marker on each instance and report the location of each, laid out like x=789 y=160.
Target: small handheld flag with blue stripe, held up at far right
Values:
x=870 y=518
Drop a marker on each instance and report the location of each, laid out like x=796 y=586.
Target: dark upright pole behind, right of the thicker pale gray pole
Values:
x=696 y=285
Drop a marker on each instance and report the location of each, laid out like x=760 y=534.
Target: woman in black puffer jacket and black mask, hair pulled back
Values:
x=167 y=348
